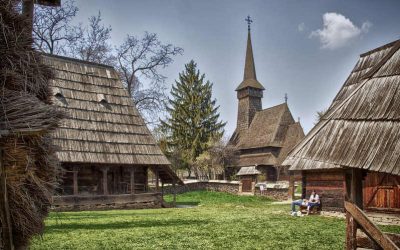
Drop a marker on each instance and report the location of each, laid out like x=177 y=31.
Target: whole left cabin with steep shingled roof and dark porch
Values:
x=104 y=146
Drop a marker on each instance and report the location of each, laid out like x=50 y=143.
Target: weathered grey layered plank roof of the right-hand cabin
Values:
x=361 y=129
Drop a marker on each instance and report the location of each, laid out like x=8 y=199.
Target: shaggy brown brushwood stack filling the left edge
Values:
x=29 y=167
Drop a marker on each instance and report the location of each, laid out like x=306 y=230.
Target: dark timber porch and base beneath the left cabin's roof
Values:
x=100 y=187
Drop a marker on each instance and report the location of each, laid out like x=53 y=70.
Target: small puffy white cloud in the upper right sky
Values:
x=338 y=31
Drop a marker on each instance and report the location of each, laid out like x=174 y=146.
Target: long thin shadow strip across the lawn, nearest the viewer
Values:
x=124 y=225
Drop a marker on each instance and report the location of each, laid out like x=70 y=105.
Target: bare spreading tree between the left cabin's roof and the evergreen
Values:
x=139 y=61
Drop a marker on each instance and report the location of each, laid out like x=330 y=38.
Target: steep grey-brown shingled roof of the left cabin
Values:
x=103 y=127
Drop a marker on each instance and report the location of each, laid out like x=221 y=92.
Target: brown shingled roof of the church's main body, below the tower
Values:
x=273 y=127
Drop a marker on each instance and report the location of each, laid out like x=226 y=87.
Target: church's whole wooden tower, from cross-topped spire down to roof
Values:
x=249 y=91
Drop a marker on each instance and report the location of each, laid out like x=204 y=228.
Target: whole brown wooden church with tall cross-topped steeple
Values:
x=263 y=137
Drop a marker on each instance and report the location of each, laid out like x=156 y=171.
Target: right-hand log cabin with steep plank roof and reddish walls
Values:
x=361 y=130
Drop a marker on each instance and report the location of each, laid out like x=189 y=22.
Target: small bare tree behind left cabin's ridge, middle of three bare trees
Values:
x=94 y=44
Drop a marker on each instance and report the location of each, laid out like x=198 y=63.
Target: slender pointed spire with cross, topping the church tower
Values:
x=249 y=76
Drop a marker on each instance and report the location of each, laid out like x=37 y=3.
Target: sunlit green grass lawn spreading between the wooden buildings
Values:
x=220 y=221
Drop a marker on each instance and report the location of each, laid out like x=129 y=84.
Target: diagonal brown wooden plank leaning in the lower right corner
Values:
x=369 y=227
